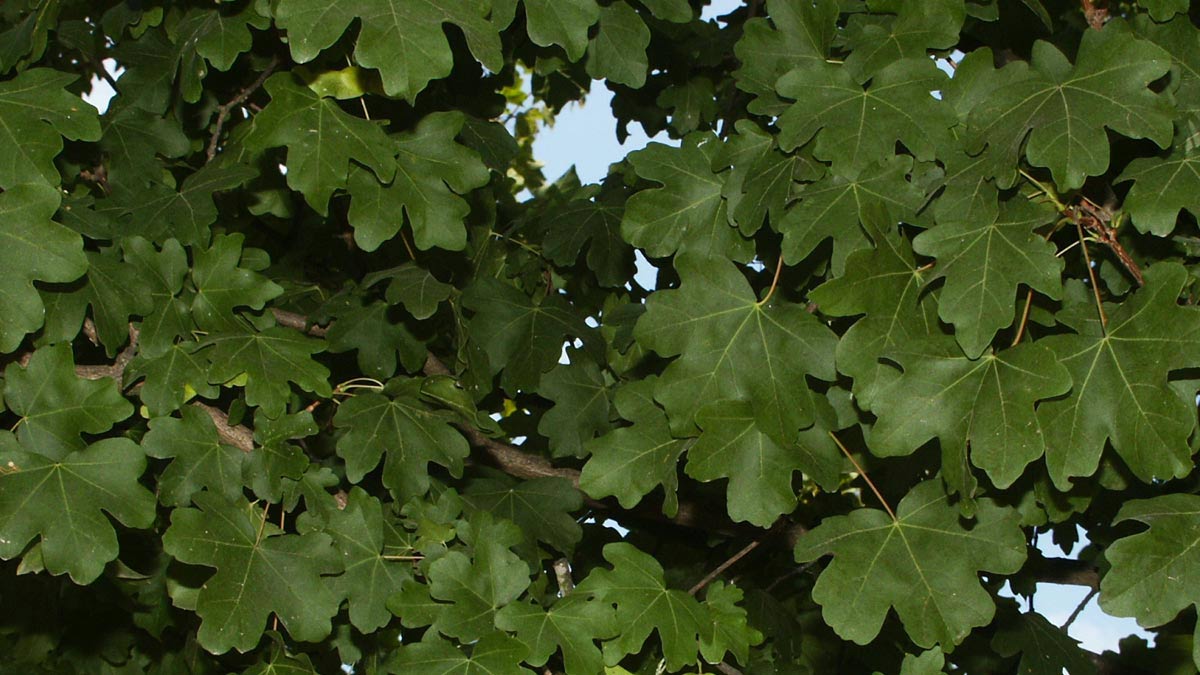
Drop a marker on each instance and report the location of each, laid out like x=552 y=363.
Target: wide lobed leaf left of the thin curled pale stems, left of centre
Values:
x=269 y=360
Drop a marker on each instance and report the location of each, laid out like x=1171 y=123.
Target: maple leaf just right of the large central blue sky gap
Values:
x=688 y=213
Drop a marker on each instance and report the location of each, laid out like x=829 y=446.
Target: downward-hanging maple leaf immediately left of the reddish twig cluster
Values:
x=985 y=264
